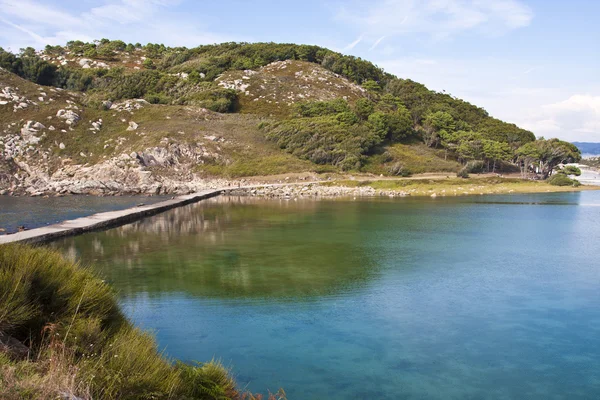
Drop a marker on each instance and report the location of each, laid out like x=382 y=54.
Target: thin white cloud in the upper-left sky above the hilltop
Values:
x=130 y=20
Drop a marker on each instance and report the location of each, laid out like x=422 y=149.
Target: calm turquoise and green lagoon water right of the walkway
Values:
x=490 y=297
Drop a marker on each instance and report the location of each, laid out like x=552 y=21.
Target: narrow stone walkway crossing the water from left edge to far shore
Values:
x=113 y=219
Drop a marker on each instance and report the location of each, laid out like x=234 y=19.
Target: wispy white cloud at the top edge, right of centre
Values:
x=436 y=18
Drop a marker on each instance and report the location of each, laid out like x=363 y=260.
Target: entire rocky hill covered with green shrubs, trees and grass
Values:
x=239 y=109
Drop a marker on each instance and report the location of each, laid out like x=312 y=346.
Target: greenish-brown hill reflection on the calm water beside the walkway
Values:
x=223 y=248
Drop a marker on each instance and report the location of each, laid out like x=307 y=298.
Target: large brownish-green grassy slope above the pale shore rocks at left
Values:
x=241 y=148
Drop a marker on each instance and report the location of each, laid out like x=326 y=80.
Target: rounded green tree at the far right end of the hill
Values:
x=544 y=155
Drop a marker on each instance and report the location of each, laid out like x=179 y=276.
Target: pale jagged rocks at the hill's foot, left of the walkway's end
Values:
x=156 y=170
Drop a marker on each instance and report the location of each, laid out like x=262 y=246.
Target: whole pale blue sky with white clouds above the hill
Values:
x=535 y=63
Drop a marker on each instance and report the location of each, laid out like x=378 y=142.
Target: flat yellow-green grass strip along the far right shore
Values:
x=460 y=187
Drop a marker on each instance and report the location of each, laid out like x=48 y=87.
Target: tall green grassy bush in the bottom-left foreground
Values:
x=69 y=338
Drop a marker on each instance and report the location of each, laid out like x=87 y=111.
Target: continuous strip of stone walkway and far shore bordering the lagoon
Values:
x=305 y=190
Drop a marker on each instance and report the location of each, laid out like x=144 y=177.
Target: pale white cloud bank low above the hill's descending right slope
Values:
x=502 y=87
